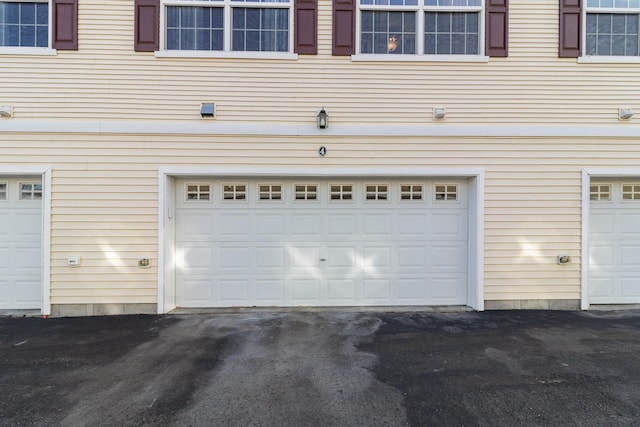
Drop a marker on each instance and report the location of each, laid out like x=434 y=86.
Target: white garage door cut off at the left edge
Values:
x=20 y=243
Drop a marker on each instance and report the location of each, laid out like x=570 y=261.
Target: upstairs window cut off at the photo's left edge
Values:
x=24 y=24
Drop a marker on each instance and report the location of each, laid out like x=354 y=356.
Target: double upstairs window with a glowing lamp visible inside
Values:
x=421 y=27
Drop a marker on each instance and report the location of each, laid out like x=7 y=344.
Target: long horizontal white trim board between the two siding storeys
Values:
x=214 y=127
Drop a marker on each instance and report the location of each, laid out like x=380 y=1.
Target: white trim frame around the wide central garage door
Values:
x=166 y=188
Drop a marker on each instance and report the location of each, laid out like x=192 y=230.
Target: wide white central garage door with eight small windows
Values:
x=344 y=242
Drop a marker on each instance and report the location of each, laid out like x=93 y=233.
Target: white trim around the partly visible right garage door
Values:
x=587 y=174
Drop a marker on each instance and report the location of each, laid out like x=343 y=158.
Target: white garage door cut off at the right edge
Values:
x=614 y=242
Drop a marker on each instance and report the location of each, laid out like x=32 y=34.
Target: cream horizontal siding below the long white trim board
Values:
x=105 y=199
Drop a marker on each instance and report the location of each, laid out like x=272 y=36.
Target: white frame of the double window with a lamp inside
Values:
x=419 y=10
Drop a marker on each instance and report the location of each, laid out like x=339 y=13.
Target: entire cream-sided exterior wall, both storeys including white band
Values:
x=90 y=117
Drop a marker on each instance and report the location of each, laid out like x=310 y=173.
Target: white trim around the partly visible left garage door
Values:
x=45 y=173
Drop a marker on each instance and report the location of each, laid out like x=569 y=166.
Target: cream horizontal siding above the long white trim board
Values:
x=105 y=79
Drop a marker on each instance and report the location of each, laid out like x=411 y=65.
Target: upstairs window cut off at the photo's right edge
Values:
x=612 y=28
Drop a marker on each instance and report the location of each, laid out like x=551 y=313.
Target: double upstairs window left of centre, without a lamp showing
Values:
x=228 y=25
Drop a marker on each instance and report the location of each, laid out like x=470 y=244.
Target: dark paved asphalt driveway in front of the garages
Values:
x=323 y=368
